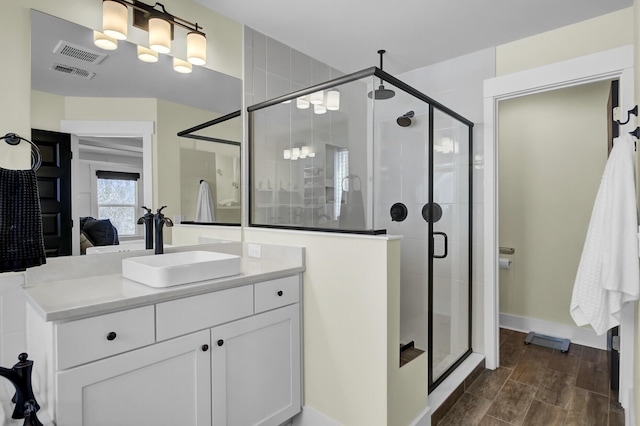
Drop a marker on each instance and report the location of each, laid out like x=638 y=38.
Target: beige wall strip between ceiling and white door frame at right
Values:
x=590 y=36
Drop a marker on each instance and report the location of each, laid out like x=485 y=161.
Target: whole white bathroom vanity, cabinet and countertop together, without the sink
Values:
x=110 y=351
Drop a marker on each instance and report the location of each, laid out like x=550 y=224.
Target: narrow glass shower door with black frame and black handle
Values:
x=448 y=215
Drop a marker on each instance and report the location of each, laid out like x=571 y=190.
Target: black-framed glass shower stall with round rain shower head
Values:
x=366 y=153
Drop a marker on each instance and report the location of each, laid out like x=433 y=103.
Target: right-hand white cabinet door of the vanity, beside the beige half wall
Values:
x=256 y=369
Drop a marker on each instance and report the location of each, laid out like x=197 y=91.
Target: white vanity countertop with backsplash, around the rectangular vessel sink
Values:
x=82 y=294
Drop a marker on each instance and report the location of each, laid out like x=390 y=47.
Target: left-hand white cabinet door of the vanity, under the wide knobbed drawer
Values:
x=164 y=384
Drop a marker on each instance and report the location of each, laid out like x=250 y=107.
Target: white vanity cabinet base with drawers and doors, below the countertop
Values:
x=224 y=358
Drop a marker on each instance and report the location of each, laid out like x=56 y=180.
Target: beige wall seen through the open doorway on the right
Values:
x=552 y=151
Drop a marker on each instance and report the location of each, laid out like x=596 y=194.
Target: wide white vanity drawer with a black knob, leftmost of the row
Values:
x=88 y=339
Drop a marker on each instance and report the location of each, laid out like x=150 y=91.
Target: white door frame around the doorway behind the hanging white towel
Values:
x=607 y=65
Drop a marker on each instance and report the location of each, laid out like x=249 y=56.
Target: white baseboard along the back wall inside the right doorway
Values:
x=577 y=335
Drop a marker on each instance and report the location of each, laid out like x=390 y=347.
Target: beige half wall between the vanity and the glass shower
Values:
x=352 y=329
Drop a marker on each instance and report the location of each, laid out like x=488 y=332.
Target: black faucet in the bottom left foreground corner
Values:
x=26 y=405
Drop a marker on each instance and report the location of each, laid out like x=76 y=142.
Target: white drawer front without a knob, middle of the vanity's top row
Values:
x=182 y=316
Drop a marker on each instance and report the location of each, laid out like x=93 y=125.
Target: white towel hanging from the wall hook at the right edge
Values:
x=608 y=275
